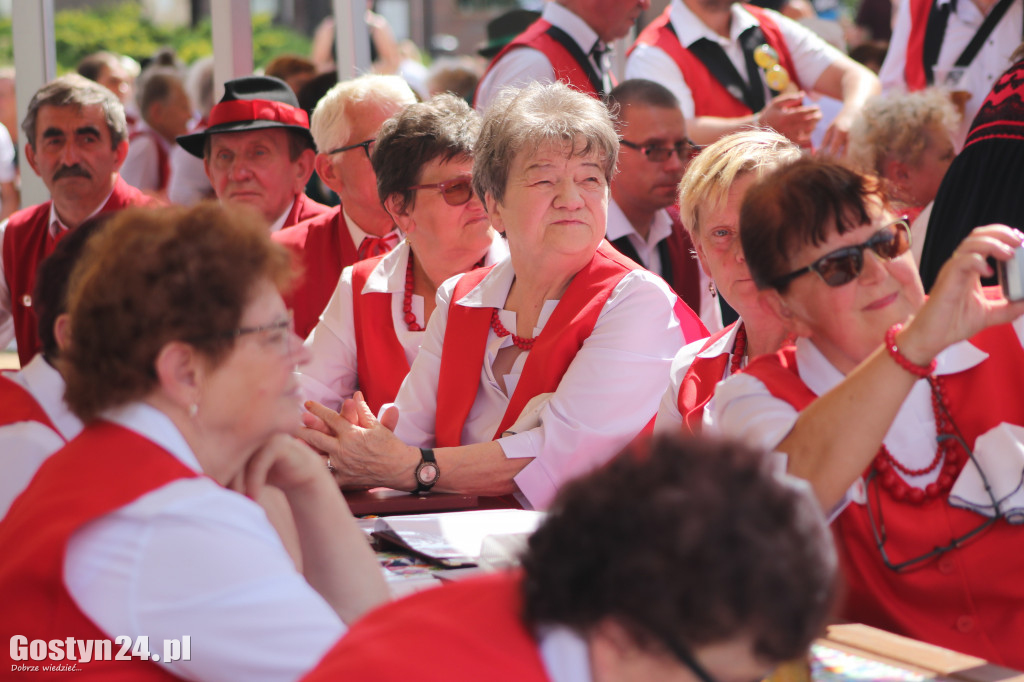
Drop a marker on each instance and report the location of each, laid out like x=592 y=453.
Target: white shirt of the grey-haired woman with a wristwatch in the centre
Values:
x=609 y=394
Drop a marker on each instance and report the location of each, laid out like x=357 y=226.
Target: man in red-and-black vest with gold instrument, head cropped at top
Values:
x=704 y=53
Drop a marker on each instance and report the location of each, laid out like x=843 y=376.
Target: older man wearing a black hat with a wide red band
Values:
x=259 y=150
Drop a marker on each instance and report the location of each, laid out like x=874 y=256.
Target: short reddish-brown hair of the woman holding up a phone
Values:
x=797 y=205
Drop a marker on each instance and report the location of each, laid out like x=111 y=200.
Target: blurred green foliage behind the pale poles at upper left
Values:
x=120 y=27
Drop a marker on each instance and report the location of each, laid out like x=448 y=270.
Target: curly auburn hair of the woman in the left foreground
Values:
x=157 y=276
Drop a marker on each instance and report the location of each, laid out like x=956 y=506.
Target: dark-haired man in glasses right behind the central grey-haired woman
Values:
x=643 y=222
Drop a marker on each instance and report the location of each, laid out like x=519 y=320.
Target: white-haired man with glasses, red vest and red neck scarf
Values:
x=345 y=126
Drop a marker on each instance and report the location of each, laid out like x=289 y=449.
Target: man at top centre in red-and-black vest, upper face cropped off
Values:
x=570 y=44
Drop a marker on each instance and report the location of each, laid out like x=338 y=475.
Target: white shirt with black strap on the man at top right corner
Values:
x=989 y=65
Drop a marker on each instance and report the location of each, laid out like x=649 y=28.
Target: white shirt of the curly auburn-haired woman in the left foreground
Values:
x=195 y=559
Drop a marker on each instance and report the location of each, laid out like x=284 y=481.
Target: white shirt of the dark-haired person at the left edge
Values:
x=25 y=446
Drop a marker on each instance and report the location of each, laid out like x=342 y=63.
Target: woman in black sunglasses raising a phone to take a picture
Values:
x=899 y=410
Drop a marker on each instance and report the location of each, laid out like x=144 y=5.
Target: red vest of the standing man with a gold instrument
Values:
x=710 y=97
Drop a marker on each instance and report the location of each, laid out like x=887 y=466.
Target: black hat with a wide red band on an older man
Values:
x=251 y=103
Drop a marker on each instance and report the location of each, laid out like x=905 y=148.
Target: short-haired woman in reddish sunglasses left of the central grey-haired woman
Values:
x=372 y=329
